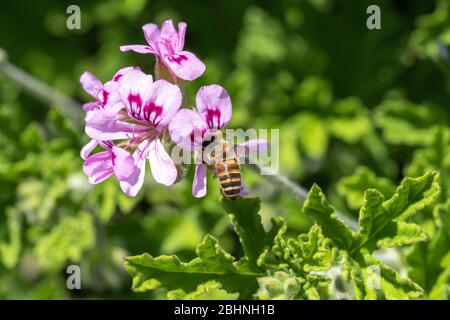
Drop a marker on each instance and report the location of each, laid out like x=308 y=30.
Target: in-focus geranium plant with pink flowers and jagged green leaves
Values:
x=135 y=117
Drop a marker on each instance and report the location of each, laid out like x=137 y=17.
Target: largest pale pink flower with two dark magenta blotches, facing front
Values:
x=146 y=109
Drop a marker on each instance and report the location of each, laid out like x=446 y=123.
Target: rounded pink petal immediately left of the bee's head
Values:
x=186 y=129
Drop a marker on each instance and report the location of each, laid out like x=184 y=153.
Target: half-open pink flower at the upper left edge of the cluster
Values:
x=106 y=96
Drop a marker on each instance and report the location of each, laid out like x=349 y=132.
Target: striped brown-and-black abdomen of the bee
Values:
x=229 y=175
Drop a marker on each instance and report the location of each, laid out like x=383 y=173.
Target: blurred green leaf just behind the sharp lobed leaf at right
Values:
x=352 y=187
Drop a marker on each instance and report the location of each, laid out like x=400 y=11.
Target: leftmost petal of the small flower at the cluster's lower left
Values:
x=98 y=167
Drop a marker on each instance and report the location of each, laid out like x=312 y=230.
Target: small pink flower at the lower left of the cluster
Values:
x=102 y=165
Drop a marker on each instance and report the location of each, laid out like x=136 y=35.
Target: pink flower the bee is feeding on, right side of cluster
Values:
x=190 y=128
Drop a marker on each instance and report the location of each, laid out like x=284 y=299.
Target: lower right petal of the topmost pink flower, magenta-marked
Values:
x=185 y=65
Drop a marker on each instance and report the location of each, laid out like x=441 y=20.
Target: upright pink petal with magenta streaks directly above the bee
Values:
x=214 y=105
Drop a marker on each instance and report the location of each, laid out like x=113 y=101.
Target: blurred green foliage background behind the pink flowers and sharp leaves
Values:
x=356 y=108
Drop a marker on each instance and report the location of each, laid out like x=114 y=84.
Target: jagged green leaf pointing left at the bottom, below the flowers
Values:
x=212 y=264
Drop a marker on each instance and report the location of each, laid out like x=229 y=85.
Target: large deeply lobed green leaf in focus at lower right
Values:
x=382 y=223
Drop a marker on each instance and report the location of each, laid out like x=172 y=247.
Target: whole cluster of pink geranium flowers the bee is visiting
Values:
x=133 y=116
